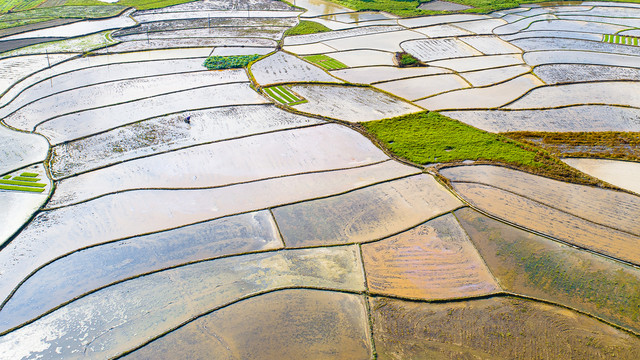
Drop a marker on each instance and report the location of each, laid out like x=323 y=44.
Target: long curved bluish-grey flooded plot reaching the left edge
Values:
x=86 y=270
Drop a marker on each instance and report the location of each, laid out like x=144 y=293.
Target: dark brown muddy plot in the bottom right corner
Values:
x=496 y=328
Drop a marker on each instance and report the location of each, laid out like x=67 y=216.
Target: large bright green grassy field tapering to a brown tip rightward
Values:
x=428 y=137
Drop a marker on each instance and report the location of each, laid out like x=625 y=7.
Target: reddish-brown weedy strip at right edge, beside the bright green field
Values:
x=606 y=144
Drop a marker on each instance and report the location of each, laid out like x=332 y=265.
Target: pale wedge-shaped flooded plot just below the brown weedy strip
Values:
x=624 y=174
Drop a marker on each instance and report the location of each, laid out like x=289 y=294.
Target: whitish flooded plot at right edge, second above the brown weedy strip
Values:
x=604 y=93
